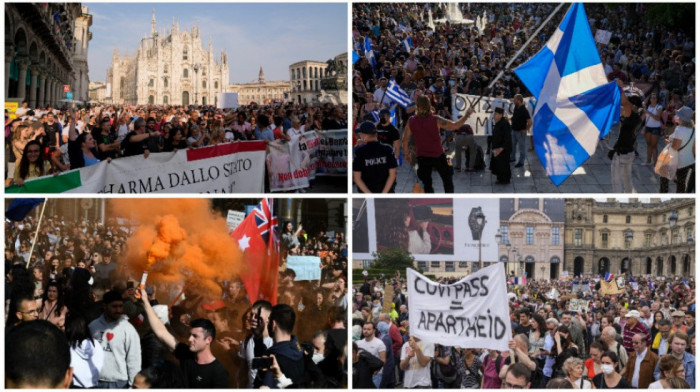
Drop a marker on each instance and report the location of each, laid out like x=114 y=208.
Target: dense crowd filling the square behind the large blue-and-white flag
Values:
x=654 y=61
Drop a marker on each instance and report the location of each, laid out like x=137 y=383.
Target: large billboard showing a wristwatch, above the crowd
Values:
x=430 y=229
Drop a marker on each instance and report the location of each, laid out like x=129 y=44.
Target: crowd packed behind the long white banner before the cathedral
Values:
x=71 y=139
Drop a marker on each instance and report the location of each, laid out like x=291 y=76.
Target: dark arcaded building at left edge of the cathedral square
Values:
x=46 y=47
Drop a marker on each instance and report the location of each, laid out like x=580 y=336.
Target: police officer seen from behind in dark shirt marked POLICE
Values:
x=374 y=164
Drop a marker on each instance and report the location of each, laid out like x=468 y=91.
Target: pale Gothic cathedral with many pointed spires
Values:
x=169 y=67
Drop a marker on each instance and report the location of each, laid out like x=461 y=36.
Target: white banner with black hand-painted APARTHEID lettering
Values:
x=472 y=313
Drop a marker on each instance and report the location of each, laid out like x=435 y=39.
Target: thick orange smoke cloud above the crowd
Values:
x=178 y=241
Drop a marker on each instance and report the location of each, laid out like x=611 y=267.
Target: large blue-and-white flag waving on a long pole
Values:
x=576 y=105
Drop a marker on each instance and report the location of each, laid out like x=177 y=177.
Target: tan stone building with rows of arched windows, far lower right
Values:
x=655 y=237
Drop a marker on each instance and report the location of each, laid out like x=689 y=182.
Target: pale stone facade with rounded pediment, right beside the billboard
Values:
x=531 y=237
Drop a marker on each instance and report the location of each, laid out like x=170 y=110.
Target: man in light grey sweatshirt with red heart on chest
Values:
x=120 y=342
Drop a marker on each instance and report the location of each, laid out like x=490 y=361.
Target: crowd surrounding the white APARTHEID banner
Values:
x=643 y=337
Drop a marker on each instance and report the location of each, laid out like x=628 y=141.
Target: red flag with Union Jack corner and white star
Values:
x=257 y=238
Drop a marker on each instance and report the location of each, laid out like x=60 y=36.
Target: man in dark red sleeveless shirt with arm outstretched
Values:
x=425 y=128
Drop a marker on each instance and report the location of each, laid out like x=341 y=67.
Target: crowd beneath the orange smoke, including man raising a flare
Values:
x=77 y=318
